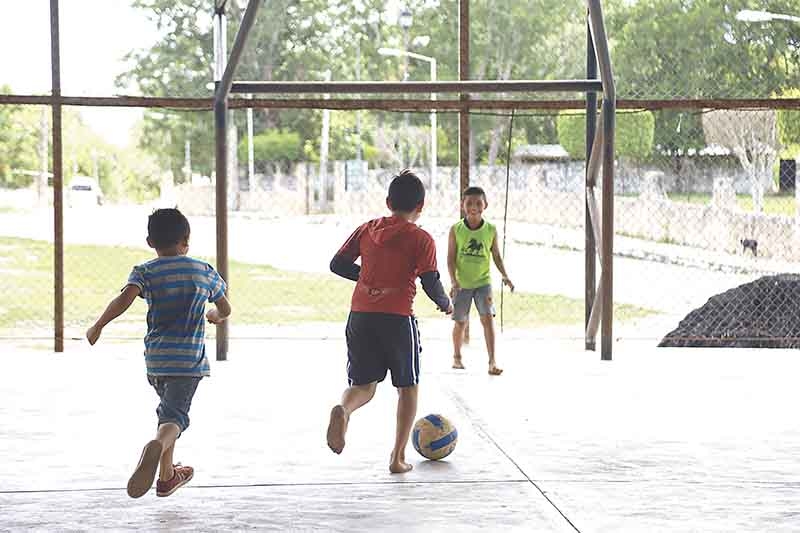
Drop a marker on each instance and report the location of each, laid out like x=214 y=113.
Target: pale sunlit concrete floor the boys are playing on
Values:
x=657 y=440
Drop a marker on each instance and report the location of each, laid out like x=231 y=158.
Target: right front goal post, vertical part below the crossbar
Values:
x=607 y=285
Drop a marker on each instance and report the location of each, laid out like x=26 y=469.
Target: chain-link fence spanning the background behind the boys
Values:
x=704 y=192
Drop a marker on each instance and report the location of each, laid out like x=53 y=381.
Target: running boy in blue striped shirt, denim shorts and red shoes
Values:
x=176 y=288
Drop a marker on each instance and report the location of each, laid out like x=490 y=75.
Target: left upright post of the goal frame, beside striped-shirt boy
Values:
x=221 y=169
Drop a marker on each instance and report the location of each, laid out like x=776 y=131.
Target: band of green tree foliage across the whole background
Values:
x=659 y=48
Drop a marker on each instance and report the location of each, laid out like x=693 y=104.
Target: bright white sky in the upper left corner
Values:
x=95 y=35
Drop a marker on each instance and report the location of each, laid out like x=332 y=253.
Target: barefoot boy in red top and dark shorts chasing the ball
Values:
x=382 y=333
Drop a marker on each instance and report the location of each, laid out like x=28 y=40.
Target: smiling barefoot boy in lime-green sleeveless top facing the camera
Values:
x=471 y=242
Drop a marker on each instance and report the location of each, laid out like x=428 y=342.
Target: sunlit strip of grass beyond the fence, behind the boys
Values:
x=260 y=294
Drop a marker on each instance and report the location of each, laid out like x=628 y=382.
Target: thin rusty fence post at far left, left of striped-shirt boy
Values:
x=58 y=181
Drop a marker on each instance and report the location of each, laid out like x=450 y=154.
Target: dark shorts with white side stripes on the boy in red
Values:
x=377 y=342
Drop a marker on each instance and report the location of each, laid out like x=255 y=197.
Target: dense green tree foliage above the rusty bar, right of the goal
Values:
x=697 y=49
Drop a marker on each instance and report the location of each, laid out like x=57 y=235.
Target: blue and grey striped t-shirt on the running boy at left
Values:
x=176 y=289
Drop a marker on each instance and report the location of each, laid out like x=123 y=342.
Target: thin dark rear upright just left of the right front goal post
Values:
x=590 y=263
